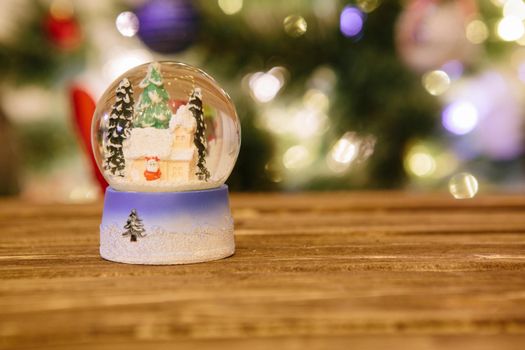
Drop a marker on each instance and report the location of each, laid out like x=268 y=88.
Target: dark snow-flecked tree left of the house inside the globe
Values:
x=119 y=124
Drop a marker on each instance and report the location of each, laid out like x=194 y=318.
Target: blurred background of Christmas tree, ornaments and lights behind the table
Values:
x=332 y=95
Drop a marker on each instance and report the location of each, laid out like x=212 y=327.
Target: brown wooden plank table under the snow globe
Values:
x=339 y=270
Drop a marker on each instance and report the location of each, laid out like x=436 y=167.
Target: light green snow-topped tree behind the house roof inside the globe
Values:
x=152 y=108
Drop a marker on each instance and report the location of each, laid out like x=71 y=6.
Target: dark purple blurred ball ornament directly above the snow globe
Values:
x=168 y=26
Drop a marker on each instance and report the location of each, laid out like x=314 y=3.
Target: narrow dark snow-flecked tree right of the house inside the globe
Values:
x=199 y=139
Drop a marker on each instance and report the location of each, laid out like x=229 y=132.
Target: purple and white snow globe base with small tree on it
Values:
x=161 y=228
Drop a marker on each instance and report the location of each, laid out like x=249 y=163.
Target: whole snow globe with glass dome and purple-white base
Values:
x=166 y=137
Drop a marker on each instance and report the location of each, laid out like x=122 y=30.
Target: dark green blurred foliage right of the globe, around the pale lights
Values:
x=374 y=92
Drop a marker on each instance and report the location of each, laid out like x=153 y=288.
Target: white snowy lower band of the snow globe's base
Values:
x=163 y=248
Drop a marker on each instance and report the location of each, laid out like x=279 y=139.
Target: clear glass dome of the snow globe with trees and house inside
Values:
x=164 y=127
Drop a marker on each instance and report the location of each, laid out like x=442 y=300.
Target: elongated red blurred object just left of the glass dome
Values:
x=83 y=108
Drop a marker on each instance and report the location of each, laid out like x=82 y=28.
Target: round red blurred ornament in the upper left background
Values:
x=64 y=32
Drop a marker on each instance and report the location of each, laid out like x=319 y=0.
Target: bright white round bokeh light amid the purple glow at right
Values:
x=460 y=117
